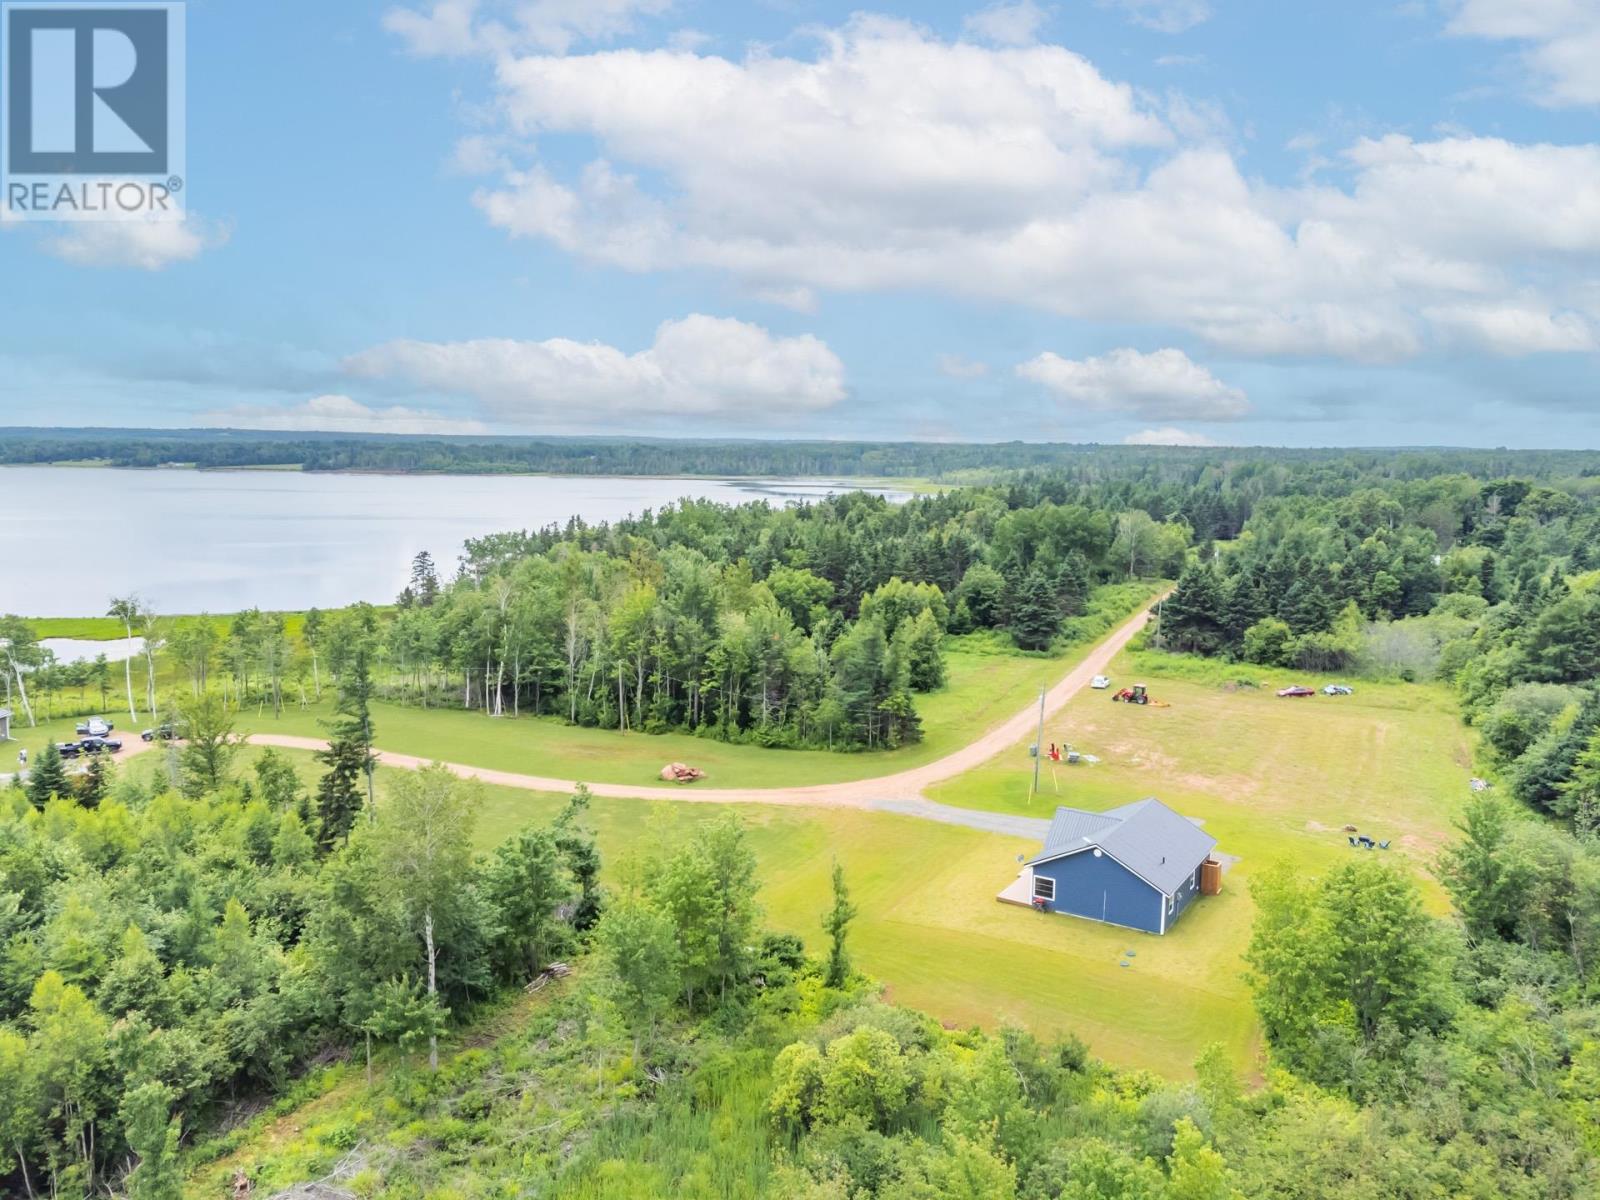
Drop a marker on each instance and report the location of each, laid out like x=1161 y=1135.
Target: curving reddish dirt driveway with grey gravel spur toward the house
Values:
x=900 y=793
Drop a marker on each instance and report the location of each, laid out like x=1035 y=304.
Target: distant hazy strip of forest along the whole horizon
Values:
x=822 y=460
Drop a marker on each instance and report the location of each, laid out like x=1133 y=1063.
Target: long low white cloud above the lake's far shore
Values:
x=697 y=367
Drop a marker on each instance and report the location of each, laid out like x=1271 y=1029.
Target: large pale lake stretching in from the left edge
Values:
x=191 y=542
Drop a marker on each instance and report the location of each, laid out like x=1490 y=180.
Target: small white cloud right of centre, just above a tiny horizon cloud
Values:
x=1164 y=386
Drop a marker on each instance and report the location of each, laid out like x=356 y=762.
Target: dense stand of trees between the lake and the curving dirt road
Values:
x=806 y=626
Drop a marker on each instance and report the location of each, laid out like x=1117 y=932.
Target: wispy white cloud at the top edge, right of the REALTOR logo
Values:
x=463 y=28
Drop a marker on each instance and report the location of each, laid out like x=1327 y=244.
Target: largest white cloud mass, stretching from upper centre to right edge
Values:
x=895 y=161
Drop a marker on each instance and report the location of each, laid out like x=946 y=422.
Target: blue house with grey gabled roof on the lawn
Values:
x=1137 y=866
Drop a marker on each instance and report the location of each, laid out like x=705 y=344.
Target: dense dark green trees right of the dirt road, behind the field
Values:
x=1492 y=586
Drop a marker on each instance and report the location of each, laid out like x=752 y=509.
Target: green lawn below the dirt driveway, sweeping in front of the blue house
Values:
x=935 y=935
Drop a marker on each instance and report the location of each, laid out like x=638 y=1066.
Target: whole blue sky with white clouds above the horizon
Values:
x=1118 y=220
